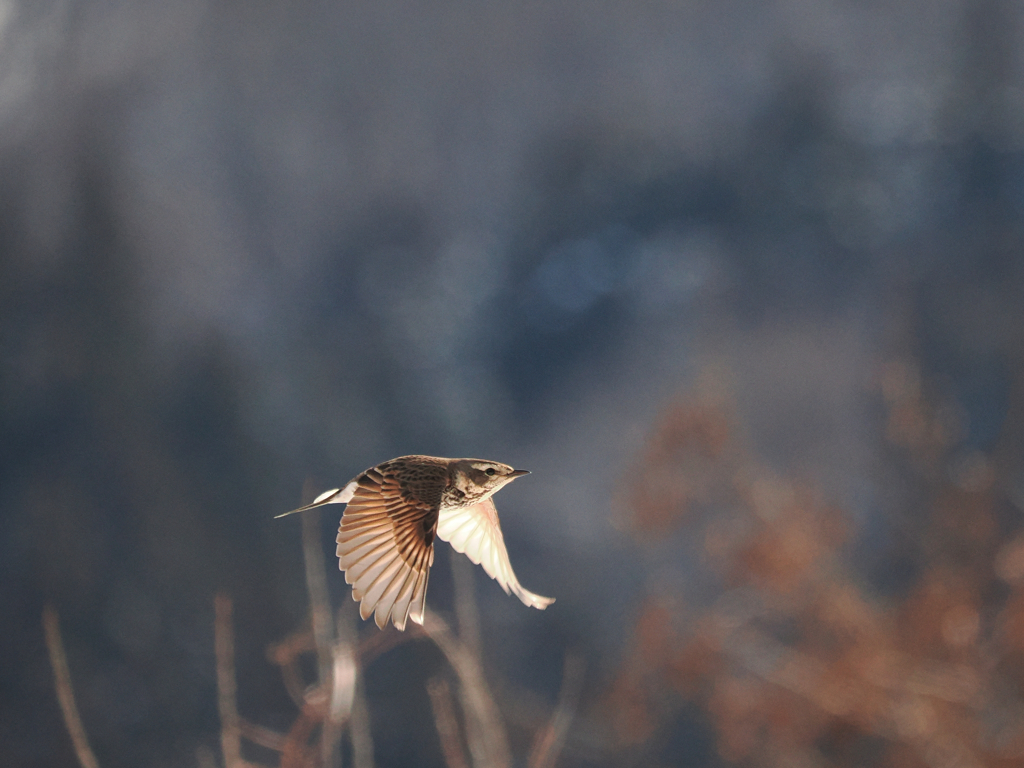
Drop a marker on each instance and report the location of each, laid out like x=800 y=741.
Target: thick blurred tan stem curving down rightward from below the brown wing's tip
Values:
x=485 y=730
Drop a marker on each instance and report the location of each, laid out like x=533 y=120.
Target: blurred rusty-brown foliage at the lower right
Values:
x=799 y=661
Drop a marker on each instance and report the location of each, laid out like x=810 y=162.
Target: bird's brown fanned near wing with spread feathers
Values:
x=386 y=547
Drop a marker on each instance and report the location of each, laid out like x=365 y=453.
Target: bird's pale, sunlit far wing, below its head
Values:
x=477 y=532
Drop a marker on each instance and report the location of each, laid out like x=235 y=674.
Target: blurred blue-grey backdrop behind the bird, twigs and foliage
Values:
x=244 y=246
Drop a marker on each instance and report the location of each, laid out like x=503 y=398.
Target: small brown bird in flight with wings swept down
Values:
x=394 y=514
